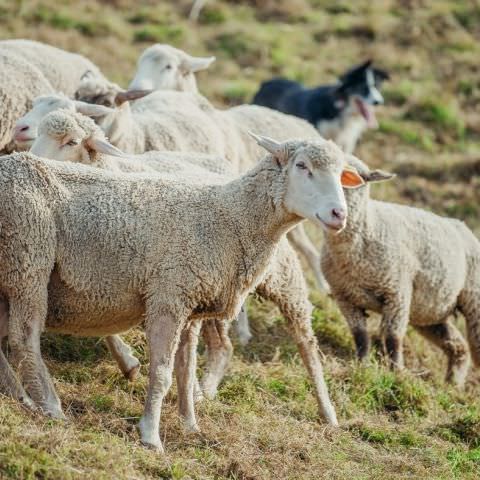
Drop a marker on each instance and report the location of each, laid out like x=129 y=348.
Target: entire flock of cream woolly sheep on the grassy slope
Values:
x=149 y=206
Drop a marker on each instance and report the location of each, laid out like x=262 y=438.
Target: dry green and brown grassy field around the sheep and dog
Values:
x=263 y=424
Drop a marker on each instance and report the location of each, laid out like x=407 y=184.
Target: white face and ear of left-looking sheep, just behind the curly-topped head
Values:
x=26 y=128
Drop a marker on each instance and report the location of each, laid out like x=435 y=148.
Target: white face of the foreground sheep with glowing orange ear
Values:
x=315 y=175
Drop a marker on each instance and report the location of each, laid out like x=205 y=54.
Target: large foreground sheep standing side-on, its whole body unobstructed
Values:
x=90 y=252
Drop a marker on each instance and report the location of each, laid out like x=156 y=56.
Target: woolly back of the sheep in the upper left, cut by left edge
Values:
x=29 y=69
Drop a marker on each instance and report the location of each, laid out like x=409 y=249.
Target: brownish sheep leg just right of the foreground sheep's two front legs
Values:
x=219 y=354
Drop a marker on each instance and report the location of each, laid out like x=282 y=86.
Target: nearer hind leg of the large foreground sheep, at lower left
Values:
x=27 y=316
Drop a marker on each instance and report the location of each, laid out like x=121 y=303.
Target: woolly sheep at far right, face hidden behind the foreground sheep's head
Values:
x=408 y=265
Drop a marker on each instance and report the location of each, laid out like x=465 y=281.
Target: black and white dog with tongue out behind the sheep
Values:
x=341 y=112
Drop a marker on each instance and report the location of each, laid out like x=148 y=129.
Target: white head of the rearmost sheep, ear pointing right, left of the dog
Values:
x=162 y=67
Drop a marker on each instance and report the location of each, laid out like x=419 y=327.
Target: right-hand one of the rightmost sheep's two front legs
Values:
x=394 y=327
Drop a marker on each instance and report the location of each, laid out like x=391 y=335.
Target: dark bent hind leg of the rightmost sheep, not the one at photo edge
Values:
x=450 y=340
